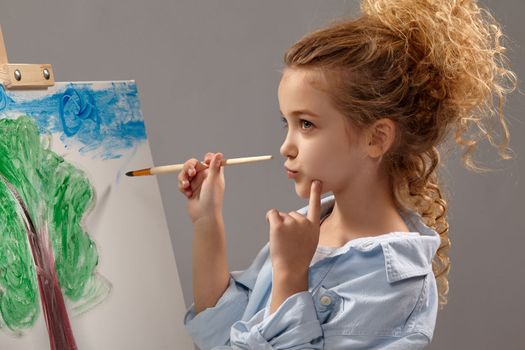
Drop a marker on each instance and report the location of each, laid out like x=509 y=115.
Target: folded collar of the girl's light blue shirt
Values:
x=406 y=254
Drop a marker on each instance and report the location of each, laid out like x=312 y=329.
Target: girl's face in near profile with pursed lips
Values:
x=320 y=143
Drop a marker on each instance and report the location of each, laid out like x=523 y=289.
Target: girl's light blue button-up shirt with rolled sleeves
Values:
x=372 y=293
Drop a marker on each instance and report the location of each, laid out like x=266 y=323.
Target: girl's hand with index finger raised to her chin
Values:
x=294 y=237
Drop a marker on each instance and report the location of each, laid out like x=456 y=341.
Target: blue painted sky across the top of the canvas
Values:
x=103 y=117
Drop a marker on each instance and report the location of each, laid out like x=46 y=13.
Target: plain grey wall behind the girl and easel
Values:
x=207 y=73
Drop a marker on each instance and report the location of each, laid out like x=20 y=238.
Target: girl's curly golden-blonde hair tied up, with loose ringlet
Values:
x=432 y=67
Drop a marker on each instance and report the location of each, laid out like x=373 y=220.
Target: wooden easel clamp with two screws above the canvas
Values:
x=23 y=76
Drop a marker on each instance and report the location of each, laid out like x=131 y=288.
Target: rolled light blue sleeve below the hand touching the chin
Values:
x=294 y=325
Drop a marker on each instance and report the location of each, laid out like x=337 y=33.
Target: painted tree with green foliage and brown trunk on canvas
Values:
x=46 y=256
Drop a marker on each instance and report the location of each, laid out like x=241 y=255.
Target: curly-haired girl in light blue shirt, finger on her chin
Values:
x=365 y=102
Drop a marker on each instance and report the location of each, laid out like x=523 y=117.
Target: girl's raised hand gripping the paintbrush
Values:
x=203 y=185
